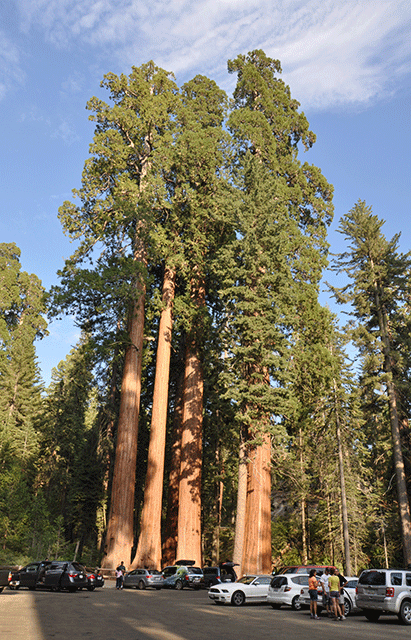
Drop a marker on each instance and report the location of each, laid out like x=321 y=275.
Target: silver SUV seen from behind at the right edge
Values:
x=385 y=591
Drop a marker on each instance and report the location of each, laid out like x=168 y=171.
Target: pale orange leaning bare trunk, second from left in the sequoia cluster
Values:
x=149 y=544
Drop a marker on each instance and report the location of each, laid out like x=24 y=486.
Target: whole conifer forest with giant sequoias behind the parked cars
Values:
x=213 y=409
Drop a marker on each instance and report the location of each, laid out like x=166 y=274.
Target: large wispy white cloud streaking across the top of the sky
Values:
x=332 y=51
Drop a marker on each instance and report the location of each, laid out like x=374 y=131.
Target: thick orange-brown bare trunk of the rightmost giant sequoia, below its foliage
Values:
x=257 y=540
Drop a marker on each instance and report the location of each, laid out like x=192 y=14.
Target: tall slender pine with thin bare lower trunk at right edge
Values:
x=378 y=289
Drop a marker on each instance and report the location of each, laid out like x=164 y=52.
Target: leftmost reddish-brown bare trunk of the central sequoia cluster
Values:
x=120 y=535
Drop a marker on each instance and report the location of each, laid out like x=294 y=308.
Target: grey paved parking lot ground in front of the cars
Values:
x=108 y=614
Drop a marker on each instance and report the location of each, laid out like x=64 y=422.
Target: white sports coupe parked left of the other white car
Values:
x=253 y=588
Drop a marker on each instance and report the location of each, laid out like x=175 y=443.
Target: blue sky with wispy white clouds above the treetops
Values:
x=348 y=62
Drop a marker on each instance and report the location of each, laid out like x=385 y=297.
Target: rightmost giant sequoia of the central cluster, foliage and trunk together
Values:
x=275 y=260
